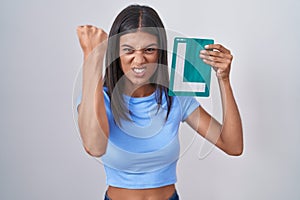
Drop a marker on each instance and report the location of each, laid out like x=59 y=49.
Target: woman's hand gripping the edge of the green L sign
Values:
x=219 y=58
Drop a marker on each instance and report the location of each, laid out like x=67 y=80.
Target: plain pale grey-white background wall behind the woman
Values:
x=40 y=150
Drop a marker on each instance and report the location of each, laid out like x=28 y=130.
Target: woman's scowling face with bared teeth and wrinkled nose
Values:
x=139 y=56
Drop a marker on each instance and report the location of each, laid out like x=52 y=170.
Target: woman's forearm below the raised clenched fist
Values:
x=92 y=119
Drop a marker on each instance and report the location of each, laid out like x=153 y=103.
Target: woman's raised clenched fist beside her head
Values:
x=90 y=37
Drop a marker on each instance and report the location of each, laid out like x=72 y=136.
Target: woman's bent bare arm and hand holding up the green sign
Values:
x=229 y=135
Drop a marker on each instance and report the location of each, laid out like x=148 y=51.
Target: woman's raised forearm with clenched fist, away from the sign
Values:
x=92 y=118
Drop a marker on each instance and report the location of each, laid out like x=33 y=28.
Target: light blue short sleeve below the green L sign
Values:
x=187 y=104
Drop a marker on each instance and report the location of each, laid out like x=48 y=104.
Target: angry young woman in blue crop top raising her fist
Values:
x=129 y=120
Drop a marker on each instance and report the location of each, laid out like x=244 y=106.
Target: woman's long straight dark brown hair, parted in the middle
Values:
x=132 y=19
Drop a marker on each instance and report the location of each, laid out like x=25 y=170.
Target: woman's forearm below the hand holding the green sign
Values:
x=231 y=132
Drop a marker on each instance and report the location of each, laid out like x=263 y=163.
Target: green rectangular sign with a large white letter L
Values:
x=190 y=76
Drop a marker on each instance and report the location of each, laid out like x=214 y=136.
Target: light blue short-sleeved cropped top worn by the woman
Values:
x=143 y=152
